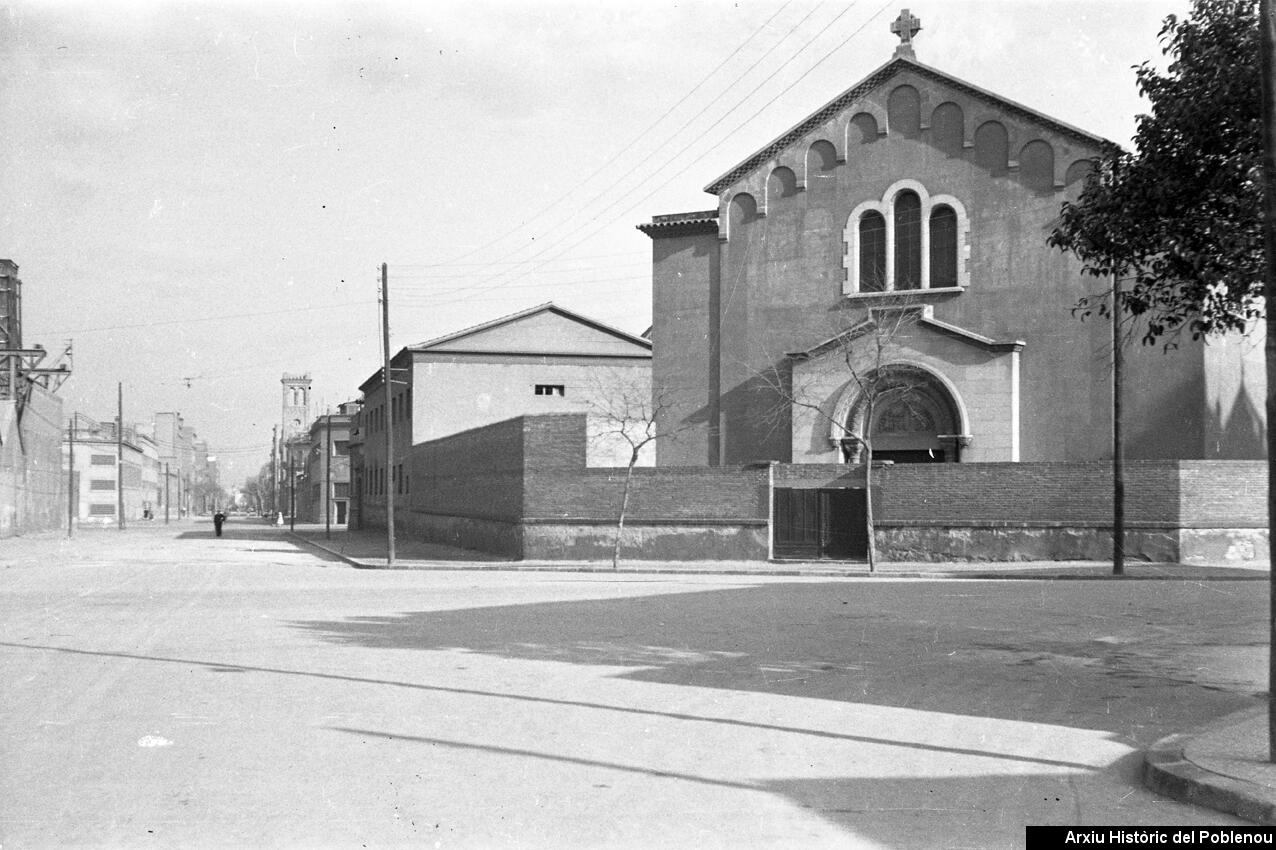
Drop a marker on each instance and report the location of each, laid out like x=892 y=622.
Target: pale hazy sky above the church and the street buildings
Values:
x=200 y=196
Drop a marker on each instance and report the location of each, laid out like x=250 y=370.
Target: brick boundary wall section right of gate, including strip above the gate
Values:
x=1176 y=511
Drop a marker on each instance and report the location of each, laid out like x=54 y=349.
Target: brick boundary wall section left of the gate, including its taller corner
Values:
x=521 y=488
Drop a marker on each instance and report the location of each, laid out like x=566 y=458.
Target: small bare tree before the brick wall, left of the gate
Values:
x=626 y=413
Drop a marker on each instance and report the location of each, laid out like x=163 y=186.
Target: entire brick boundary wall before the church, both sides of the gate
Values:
x=521 y=489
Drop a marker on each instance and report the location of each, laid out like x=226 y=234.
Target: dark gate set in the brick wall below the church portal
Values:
x=821 y=525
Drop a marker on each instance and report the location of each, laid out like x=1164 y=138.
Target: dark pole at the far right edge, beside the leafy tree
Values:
x=1268 y=62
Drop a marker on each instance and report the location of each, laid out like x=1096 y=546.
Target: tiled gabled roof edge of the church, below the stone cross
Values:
x=877 y=78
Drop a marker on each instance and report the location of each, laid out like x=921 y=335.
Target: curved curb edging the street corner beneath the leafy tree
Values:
x=1167 y=772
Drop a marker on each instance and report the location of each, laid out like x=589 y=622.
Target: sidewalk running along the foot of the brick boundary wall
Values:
x=368 y=551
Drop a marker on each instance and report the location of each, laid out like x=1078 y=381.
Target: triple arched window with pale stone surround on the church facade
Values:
x=907 y=242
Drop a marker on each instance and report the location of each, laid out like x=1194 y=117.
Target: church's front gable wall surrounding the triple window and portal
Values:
x=783 y=265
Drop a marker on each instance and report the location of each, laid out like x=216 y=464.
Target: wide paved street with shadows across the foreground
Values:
x=167 y=689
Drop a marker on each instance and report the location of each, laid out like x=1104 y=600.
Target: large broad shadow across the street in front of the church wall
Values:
x=1071 y=654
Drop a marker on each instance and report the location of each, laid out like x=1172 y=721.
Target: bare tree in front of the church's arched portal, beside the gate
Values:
x=862 y=357
